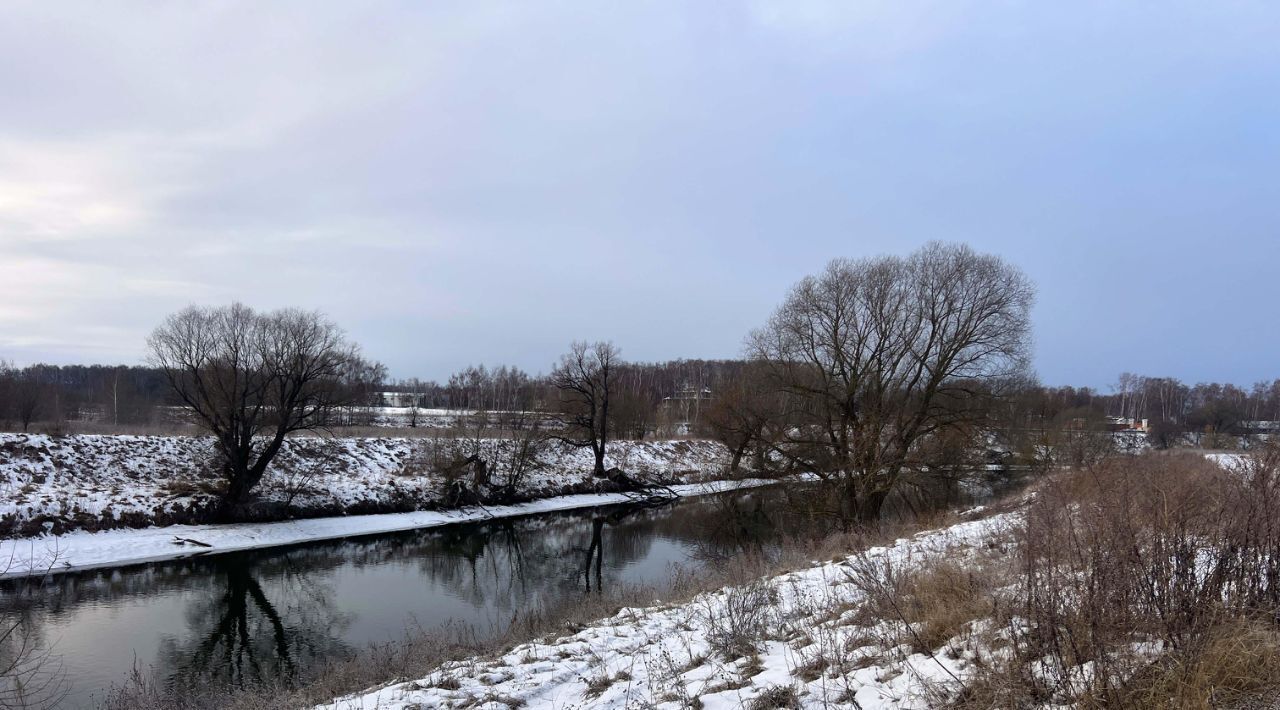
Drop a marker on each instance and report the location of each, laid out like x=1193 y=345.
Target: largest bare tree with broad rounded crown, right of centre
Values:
x=877 y=355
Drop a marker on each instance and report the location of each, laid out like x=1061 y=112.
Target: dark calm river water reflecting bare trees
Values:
x=245 y=617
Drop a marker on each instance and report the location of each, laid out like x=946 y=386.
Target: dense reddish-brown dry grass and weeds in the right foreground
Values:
x=1135 y=555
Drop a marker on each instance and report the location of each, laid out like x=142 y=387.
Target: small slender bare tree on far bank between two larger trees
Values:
x=584 y=379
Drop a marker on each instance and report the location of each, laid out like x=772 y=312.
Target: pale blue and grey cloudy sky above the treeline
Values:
x=486 y=182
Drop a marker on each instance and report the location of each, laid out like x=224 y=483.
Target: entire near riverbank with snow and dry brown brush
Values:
x=1066 y=598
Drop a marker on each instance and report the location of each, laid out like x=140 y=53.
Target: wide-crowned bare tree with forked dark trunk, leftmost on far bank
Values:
x=253 y=379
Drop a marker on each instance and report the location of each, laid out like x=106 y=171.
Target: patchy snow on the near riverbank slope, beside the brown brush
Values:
x=810 y=649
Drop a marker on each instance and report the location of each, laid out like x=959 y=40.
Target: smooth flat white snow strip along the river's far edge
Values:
x=118 y=548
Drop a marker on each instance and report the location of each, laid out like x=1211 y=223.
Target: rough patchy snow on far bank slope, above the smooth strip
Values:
x=97 y=482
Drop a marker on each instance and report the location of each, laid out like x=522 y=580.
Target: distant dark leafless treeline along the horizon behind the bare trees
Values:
x=647 y=401
